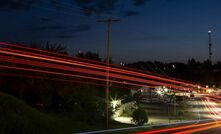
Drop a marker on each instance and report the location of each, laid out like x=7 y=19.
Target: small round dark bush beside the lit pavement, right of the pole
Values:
x=139 y=117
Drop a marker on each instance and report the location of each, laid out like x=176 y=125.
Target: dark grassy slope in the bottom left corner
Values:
x=16 y=117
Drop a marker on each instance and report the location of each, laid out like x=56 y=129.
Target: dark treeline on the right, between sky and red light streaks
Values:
x=194 y=71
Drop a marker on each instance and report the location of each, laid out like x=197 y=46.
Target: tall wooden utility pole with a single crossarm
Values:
x=109 y=22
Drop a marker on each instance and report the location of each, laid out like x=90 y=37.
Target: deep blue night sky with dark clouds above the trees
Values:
x=163 y=30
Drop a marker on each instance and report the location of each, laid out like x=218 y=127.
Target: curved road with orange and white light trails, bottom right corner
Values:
x=211 y=102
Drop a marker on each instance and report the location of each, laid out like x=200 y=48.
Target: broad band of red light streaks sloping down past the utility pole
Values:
x=21 y=57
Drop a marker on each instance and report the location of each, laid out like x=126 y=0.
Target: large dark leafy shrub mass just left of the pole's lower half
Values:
x=83 y=102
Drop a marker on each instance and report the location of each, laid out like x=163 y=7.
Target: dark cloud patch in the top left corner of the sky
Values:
x=7 y=5
